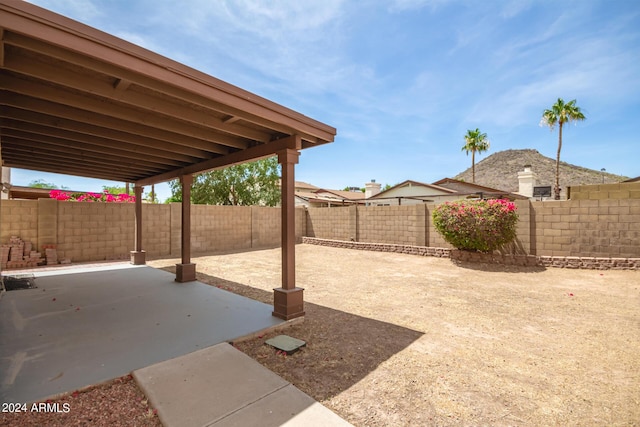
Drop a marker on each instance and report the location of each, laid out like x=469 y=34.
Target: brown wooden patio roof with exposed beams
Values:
x=78 y=101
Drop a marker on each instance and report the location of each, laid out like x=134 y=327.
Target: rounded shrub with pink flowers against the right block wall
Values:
x=477 y=225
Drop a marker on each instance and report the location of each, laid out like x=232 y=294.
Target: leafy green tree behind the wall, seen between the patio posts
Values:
x=246 y=184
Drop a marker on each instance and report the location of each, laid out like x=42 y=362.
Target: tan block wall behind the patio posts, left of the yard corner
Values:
x=105 y=231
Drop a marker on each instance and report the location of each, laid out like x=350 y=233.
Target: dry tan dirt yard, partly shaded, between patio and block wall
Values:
x=405 y=340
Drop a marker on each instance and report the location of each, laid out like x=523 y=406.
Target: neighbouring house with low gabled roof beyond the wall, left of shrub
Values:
x=413 y=192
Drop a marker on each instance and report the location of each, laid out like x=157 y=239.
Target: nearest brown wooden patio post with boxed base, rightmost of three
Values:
x=288 y=302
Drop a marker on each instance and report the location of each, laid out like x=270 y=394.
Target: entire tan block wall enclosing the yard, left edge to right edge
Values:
x=599 y=221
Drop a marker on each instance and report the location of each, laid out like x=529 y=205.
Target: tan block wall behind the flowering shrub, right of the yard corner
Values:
x=585 y=227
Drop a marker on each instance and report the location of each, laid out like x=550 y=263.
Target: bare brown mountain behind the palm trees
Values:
x=500 y=170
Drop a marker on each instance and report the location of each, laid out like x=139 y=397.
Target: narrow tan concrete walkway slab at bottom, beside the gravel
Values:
x=221 y=386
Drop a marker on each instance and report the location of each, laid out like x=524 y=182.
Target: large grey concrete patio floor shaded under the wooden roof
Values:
x=85 y=326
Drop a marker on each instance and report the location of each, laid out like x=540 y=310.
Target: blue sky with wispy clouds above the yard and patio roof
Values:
x=403 y=80
